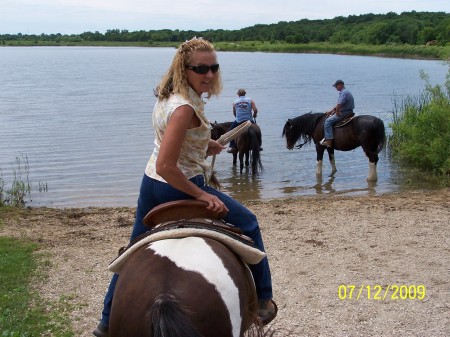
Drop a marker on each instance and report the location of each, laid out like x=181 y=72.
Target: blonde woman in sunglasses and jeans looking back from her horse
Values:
x=177 y=167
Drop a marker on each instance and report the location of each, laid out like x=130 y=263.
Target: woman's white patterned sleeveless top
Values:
x=192 y=160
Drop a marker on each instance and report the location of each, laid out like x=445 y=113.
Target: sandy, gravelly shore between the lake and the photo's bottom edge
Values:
x=318 y=248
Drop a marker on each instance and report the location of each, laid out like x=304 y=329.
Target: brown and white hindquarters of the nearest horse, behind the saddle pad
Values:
x=186 y=286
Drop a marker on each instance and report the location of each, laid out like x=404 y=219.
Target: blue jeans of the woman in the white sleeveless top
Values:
x=154 y=193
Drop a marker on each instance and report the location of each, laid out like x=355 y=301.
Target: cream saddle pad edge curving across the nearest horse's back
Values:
x=249 y=254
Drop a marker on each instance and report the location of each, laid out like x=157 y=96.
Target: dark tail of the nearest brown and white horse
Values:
x=168 y=318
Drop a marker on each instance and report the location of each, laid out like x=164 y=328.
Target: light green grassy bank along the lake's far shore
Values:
x=393 y=50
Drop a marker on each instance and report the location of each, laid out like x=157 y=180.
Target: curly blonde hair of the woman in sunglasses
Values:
x=174 y=81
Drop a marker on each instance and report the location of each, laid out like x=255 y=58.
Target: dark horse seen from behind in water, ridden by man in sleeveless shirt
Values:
x=248 y=146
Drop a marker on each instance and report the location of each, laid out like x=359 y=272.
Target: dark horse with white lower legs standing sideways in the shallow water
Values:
x=365 y=131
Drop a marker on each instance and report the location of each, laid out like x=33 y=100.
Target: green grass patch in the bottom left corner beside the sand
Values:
x=23 y=313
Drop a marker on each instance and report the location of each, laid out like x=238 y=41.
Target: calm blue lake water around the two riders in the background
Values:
x=81 y=118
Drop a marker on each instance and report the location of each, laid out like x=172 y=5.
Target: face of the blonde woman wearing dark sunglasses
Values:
x=201 y=82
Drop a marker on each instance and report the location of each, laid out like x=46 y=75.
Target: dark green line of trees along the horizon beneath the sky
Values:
x=413 y=28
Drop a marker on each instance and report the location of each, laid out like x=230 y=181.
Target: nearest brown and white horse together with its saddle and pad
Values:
x=185 y=277
